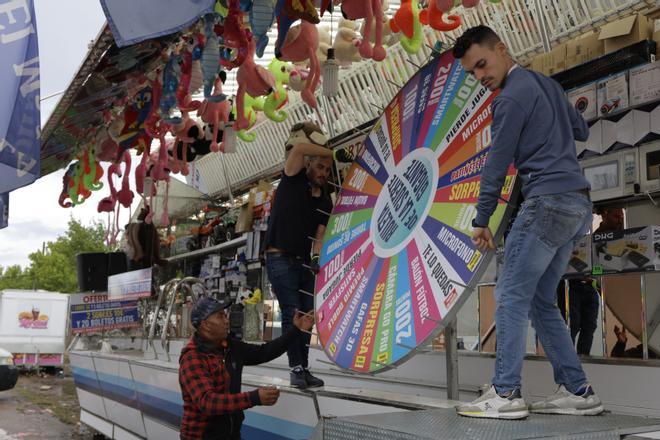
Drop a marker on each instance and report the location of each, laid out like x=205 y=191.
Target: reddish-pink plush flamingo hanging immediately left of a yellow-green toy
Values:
x=254 y=80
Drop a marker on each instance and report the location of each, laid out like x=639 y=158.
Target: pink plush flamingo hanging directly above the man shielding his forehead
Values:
x=300 y=45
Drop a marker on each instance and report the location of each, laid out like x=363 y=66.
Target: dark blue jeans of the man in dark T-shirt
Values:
x=288 y=277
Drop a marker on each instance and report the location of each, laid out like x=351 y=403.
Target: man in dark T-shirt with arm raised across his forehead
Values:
x=295 y=229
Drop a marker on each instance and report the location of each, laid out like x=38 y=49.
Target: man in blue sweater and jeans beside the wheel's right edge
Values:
x=534 y=127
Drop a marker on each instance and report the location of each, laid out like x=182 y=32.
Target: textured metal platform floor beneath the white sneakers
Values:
x=445 y=424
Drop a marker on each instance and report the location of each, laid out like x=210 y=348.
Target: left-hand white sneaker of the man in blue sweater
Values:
x=490 y=405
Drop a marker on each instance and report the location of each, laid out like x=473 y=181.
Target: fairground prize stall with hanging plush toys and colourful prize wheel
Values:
x=404 y=302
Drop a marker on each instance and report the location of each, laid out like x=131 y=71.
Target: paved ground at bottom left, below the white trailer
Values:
x=29 y=412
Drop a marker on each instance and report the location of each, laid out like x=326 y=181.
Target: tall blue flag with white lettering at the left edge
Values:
x=20 y=123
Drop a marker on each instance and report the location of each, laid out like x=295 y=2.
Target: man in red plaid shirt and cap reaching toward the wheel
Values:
x=210 y=373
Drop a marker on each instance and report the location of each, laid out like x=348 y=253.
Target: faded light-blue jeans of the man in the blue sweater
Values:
x=536 y=254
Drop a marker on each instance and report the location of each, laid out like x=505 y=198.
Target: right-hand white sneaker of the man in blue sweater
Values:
x=565 y=402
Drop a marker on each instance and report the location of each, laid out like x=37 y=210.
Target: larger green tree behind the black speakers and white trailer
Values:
x=55 y=269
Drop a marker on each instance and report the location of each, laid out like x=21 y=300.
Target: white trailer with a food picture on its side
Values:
x=33 y=326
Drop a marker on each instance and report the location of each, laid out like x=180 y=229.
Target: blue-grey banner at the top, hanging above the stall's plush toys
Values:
x=133 y=21
